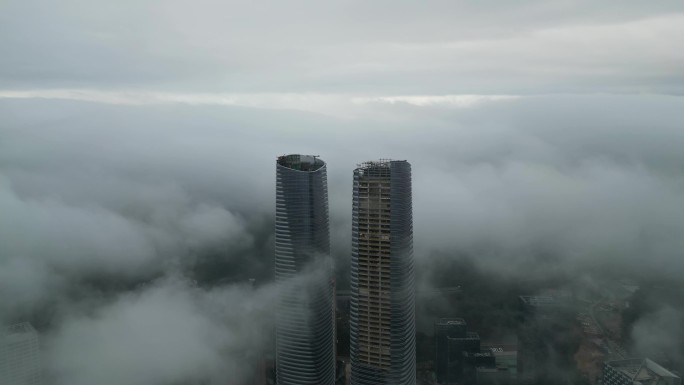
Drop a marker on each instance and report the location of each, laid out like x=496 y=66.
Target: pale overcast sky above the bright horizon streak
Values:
x=381 y=47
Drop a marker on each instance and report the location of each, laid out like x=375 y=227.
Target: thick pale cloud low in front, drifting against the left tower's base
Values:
x=167 y=332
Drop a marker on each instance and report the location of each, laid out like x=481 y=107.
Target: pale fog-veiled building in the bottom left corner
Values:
x=20 y=356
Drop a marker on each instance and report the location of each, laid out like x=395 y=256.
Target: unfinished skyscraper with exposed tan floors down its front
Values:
x=383 y=343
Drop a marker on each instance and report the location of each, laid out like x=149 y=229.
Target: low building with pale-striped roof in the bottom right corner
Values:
x=637 y=371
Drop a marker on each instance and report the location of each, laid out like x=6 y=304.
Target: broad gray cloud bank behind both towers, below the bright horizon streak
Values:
x=587 y=176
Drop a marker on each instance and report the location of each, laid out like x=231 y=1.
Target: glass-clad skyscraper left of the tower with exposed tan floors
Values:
x=305 y=319
